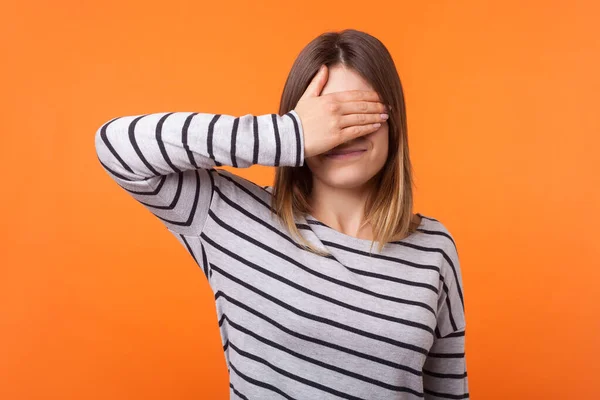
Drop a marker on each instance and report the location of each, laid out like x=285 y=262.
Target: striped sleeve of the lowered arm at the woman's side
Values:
x=445 y=370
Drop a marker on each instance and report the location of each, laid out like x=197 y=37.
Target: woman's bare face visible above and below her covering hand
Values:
x=351 y=171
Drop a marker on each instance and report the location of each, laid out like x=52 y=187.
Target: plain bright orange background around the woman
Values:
x=99 y=301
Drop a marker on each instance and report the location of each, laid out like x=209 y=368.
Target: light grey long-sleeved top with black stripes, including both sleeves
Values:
x=294 y=324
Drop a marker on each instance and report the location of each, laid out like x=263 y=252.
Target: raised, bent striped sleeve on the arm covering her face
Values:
x=165 y=160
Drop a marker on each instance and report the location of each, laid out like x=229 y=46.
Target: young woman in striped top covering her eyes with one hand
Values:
x=306 y=308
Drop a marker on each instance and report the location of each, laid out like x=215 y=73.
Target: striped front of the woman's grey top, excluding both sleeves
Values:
x=354 y=320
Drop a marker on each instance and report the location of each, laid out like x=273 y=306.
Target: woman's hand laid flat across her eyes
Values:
x=335 y=118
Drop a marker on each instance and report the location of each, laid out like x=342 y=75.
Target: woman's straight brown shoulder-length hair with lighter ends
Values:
x=389 y=208
